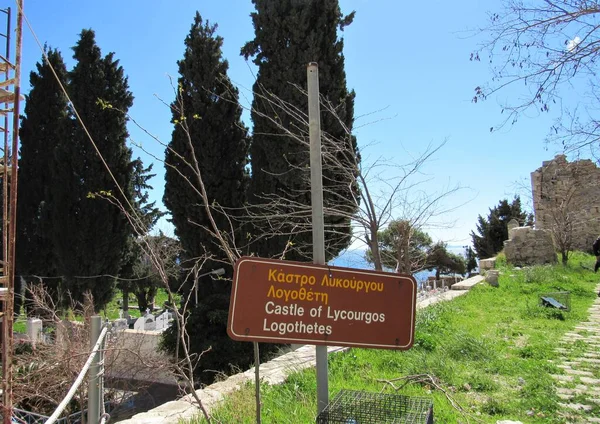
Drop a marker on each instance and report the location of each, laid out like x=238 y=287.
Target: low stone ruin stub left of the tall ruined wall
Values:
x=528 y=246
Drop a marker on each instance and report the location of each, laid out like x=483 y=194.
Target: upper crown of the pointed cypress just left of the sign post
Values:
x=207 y=111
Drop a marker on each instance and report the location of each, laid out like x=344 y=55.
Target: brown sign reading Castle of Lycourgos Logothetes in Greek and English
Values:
x=294 y=302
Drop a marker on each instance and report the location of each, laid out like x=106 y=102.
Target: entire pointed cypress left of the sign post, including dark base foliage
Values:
x=208 y=134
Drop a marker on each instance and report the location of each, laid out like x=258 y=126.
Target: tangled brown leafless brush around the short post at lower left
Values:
x=45 y=369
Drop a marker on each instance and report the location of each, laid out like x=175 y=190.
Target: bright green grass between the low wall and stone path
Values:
x=489 y=350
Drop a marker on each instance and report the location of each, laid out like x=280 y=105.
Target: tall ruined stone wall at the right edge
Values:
x=566 y=196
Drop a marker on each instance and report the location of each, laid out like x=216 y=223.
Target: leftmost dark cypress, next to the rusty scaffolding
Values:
x=43 y=127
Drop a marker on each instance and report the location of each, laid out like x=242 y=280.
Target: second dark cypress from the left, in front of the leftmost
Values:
x=90 y=233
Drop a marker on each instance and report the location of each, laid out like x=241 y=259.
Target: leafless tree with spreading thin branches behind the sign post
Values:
x=383 y=191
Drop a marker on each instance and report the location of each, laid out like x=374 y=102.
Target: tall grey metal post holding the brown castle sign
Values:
x=316 y=195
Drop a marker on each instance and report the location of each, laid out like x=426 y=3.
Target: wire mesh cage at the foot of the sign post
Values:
x=358 y=407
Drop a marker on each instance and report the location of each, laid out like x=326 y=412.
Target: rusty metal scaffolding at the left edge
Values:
x=10 y=96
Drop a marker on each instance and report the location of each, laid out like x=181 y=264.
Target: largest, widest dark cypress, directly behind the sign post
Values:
x=288 y=35
